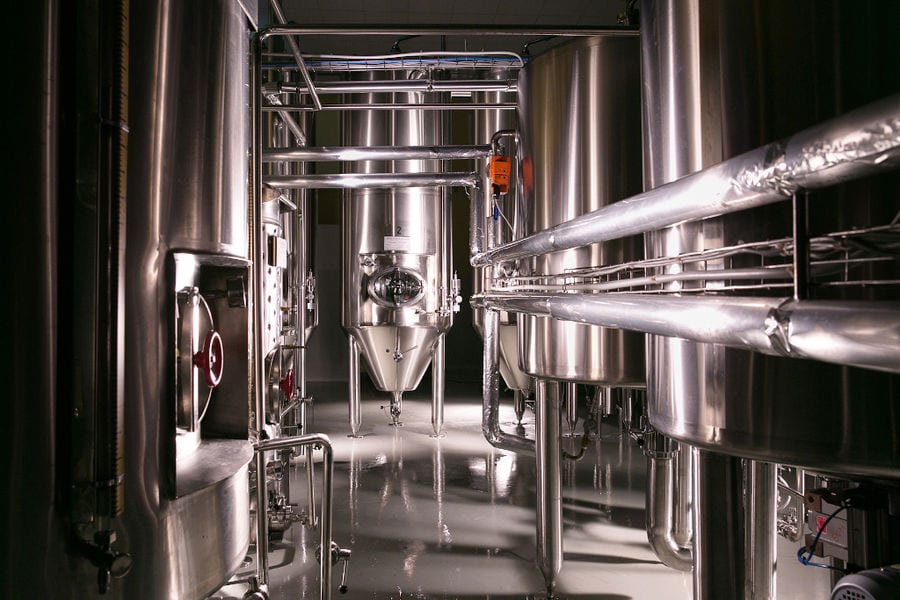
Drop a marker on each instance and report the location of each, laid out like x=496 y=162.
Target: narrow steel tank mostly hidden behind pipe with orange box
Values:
x=487 y=123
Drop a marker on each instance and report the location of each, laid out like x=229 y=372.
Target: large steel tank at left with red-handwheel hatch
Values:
x=101 y=316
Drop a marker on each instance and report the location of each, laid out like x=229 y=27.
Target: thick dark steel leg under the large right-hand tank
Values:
x=719 y=561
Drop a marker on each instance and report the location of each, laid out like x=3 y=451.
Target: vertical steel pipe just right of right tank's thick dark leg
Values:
x=761 y=532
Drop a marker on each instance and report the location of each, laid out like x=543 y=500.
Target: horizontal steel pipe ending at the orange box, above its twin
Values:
x=378 y=153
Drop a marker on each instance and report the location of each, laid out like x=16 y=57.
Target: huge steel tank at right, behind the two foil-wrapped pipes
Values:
x=765 y=73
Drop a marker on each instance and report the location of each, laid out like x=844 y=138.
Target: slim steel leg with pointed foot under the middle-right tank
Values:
x=547 y=454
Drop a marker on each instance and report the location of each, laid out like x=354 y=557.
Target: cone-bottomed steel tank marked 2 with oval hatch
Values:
x=396 y=248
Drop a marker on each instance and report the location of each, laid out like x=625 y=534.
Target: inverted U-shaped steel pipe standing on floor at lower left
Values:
x=325 y=521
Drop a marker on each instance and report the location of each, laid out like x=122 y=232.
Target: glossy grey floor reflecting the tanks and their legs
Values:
x=451 y=517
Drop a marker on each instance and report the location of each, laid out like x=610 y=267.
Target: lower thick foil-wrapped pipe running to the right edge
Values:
x=861 y=334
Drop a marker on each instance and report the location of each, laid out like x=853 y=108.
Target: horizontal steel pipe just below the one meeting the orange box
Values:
x=372 y=180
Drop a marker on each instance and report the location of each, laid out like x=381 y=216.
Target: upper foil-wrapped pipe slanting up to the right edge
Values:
x=859 y=143
